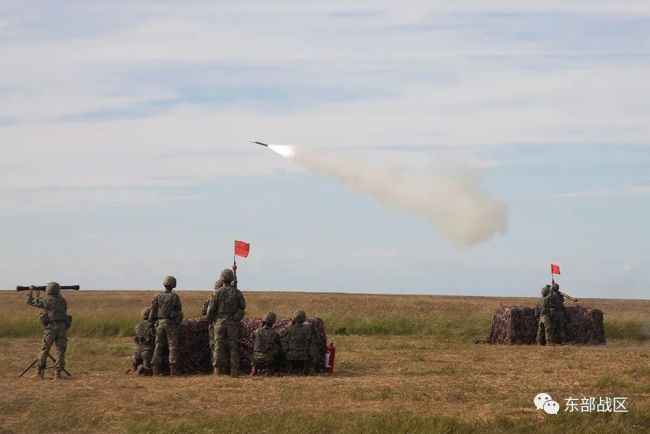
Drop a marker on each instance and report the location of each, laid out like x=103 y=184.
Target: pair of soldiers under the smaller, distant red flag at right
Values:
x=551 y=316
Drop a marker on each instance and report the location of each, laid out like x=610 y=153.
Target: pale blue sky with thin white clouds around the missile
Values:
x=125 y=154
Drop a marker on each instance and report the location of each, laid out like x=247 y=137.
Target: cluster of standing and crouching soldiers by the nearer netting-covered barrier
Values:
x=157 y=334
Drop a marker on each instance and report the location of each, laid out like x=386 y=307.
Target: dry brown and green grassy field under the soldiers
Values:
x=404 y=364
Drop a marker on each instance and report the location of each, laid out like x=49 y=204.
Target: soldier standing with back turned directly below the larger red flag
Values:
x=226 y=311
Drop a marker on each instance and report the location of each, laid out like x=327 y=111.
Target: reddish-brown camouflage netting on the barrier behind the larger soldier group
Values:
x=195 y=354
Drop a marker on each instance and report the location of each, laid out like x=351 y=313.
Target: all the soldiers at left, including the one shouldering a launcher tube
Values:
x=157 y=336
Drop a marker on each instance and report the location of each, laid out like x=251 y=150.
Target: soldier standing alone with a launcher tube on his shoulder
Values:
x=57 y=321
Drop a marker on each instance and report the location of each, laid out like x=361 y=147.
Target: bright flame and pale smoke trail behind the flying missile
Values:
x=453 y=200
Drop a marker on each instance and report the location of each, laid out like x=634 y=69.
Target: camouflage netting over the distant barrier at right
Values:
x=516 y=325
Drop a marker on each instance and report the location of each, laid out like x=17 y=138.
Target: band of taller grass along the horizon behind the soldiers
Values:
x=455 y=319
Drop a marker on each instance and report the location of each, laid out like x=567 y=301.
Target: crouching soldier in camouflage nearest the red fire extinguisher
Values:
x=296 y=344
